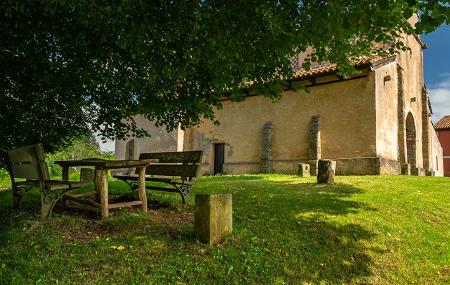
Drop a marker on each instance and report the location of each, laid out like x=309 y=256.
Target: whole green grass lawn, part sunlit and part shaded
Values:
x=287 y=230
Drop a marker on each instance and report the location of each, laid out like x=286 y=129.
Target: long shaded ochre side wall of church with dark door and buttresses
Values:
x=348 y=130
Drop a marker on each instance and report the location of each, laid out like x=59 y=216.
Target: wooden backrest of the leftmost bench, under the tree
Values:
x=28 y=162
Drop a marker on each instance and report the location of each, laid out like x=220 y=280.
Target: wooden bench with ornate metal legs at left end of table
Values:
x=27 y=164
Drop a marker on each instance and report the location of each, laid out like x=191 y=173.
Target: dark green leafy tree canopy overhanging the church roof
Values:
x=70 y=66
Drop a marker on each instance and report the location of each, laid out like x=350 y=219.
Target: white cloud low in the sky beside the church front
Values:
x=440 y=99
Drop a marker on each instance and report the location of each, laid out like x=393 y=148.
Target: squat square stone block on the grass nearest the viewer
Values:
x=213 y=217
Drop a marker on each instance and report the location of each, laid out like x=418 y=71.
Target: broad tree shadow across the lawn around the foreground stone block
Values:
x=285 y=230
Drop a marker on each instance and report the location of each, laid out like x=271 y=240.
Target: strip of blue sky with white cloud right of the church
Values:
x=437 y=70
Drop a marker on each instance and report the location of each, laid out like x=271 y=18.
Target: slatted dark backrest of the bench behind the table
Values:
x=182 y=163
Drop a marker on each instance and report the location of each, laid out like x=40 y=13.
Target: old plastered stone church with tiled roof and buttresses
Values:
x=378 y=122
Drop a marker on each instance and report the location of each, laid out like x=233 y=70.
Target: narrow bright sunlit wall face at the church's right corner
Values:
x=387 y=106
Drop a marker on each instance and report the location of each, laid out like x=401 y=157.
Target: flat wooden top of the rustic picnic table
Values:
x=107 y=164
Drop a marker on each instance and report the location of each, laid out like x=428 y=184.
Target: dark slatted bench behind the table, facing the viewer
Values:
x=176 y=170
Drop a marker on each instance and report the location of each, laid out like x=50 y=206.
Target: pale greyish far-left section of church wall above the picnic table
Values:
x=160 y=140
